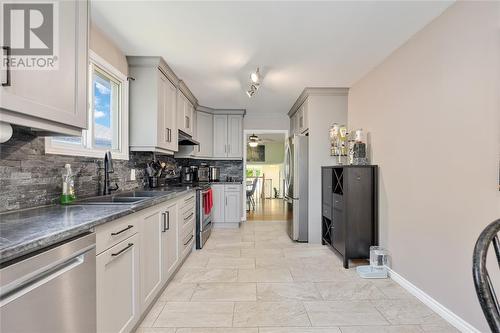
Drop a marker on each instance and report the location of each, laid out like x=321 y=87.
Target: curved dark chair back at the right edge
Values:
x=484 y=287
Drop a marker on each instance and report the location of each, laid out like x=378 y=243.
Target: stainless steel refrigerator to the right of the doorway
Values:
x=296 y=186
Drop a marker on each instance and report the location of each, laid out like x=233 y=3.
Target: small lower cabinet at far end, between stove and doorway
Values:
x=227 y=203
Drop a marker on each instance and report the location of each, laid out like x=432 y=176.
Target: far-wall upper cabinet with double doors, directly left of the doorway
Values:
x=228 y=136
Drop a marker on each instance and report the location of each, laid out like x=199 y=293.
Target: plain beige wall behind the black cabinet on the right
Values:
x=432 y=111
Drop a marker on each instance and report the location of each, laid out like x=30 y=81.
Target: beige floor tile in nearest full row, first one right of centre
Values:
x=343 y=313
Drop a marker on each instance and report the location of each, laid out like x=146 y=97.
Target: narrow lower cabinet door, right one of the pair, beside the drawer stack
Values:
x=170 y=248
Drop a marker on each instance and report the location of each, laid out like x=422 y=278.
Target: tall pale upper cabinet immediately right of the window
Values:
x=153 y=106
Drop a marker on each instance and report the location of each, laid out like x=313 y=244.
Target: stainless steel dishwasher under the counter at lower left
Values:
x=51 y=291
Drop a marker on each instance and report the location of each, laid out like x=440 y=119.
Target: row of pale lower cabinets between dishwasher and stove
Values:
x=137 y=255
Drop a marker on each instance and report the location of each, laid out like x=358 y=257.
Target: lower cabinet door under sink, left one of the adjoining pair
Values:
x=151 y=249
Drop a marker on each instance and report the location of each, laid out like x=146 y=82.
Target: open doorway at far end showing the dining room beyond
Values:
x=264 y=175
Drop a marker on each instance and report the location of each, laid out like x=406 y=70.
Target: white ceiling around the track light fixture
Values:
x=214 y=46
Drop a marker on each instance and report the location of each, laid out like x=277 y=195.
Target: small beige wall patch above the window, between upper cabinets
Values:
x=105 y=48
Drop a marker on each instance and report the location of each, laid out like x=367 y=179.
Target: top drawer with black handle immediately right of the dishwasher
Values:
x=112 y=233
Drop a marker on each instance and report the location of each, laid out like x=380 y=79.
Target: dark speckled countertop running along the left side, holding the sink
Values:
x=25 y=231
